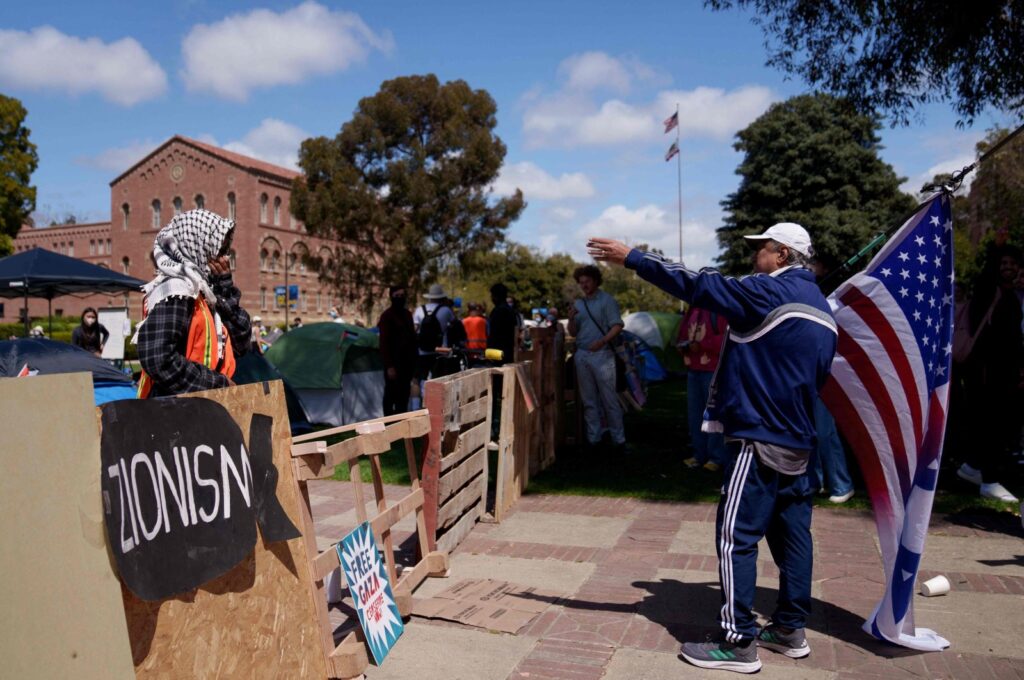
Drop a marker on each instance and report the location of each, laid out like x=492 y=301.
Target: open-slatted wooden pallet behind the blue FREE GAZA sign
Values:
x=314 y=459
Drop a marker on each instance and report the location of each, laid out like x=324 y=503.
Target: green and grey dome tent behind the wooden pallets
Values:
x=335 y=369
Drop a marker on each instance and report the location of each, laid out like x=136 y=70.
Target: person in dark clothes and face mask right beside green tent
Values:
x=398 y=352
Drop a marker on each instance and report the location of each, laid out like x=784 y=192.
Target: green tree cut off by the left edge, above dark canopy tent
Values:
x=18 y=161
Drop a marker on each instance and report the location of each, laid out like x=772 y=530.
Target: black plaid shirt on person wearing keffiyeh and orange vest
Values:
x=163 y=338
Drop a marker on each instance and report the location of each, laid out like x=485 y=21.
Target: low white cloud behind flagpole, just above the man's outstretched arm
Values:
x=655 y=227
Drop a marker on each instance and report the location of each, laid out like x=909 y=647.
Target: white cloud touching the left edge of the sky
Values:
x=46 y=59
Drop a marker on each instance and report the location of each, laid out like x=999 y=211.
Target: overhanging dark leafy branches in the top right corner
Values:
x=895 y=56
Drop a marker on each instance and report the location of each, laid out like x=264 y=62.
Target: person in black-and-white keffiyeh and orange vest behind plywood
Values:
x=194 y=326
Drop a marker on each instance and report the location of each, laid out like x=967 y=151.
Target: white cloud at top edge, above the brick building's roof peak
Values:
x=264 y=49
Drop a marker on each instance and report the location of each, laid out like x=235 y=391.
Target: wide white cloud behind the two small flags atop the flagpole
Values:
x=573 y=117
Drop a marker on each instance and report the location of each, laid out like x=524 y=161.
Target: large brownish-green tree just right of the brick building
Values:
x=404 y=187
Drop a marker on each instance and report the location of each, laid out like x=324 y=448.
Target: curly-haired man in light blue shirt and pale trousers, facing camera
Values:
x=595 y=322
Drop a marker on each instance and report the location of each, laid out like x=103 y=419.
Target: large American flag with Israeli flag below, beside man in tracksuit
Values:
x=889 y=392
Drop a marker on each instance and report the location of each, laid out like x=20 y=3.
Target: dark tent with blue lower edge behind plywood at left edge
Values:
x=49 y=358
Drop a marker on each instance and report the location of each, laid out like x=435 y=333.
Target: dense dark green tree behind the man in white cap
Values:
x=812 y=160
